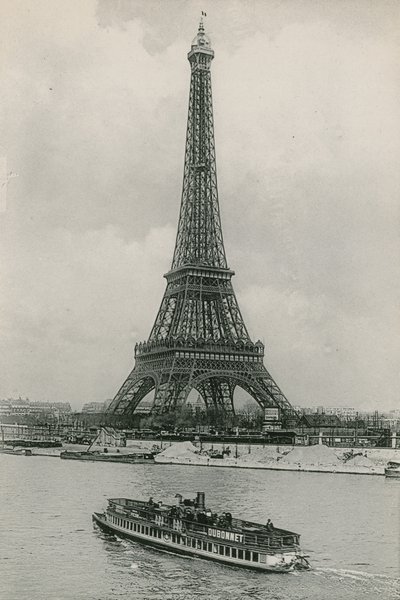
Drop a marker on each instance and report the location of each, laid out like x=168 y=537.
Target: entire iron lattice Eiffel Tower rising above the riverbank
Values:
x=199 y=339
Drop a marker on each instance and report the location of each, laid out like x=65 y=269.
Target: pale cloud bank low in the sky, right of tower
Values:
x=319 y=353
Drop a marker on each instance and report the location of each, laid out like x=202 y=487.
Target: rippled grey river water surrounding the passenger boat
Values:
x=49 y=549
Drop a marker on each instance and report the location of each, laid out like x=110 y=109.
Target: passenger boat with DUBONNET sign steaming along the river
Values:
x=189 y=528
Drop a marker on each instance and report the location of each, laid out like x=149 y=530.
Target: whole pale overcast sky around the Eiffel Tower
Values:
x=307 y=123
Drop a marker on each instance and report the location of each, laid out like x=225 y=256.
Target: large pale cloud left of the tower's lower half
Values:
x=74 y=308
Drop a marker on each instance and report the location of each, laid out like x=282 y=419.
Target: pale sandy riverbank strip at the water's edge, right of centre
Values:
x=318 y=459
